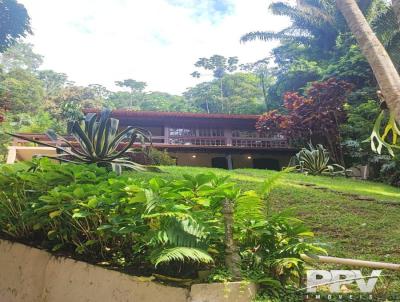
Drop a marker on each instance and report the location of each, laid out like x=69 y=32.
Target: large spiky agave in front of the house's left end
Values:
x=98 y=142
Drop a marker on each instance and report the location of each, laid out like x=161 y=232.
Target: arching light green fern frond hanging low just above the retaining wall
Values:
x=181 y=254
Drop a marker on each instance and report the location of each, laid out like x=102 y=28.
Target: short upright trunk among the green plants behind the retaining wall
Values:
x=232 y=257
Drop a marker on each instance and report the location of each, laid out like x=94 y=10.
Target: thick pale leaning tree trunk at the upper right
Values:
x=380 y=62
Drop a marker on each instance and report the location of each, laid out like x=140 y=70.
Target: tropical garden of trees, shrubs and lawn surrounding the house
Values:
x=331 y=86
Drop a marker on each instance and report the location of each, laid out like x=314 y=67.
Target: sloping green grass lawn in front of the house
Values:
x=350 y=228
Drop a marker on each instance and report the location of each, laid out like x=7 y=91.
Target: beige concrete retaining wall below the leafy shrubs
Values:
x=31 y=275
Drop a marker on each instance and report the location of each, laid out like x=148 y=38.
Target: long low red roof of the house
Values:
x=153 y=114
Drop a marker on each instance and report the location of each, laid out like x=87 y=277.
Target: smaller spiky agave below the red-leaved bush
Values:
x=315 y=161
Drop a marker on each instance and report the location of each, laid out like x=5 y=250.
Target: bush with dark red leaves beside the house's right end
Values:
x=316 y=116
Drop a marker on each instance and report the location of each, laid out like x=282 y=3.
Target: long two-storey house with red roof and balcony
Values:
x=207 y=140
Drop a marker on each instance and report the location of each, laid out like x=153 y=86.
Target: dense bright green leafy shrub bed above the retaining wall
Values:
x=175 y=227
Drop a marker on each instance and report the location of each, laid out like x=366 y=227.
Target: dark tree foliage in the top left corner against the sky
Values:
x=14 y=23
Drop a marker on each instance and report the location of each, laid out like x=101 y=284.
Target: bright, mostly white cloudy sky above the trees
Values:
x=155 y=41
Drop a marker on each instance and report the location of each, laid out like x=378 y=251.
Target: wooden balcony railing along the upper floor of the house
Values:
x=237 y=142
